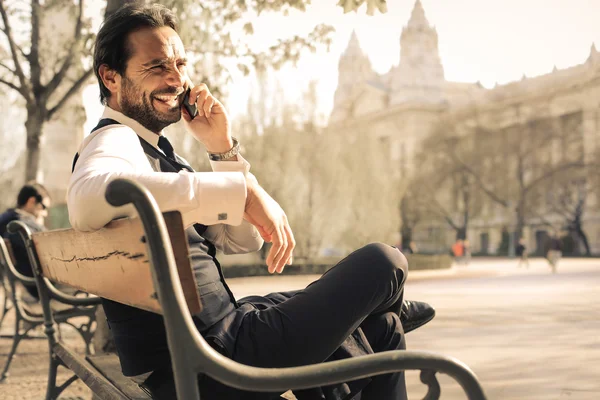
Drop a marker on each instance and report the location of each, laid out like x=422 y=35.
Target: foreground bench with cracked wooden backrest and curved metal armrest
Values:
x=144 y=263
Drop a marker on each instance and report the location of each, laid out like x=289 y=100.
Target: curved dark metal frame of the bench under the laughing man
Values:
x=192 y=355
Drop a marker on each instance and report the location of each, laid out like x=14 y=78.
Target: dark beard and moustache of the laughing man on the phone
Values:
x=137 y=105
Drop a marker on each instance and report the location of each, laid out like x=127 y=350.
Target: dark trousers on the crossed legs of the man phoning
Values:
x=303 y=327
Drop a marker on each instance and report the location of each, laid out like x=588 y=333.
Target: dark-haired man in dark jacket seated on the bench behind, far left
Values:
x=32 y=204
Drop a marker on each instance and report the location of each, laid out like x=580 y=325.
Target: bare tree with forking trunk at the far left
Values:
x=45 y=80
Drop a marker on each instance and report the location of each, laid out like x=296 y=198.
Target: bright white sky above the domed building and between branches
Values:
x=489 y=41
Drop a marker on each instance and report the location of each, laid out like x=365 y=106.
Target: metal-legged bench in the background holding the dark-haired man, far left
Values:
x=28 y=310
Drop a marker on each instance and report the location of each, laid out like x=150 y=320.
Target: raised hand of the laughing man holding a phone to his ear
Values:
x=211 y=125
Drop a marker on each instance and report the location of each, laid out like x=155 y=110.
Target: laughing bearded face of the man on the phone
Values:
x=155 y=79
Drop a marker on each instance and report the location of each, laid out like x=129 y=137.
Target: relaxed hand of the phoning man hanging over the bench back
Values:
x=267 y=216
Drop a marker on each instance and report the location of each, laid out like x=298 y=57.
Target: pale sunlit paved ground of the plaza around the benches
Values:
x=527 y=334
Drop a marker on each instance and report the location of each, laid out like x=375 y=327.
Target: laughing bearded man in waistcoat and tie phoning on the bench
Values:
x=353 y=309
